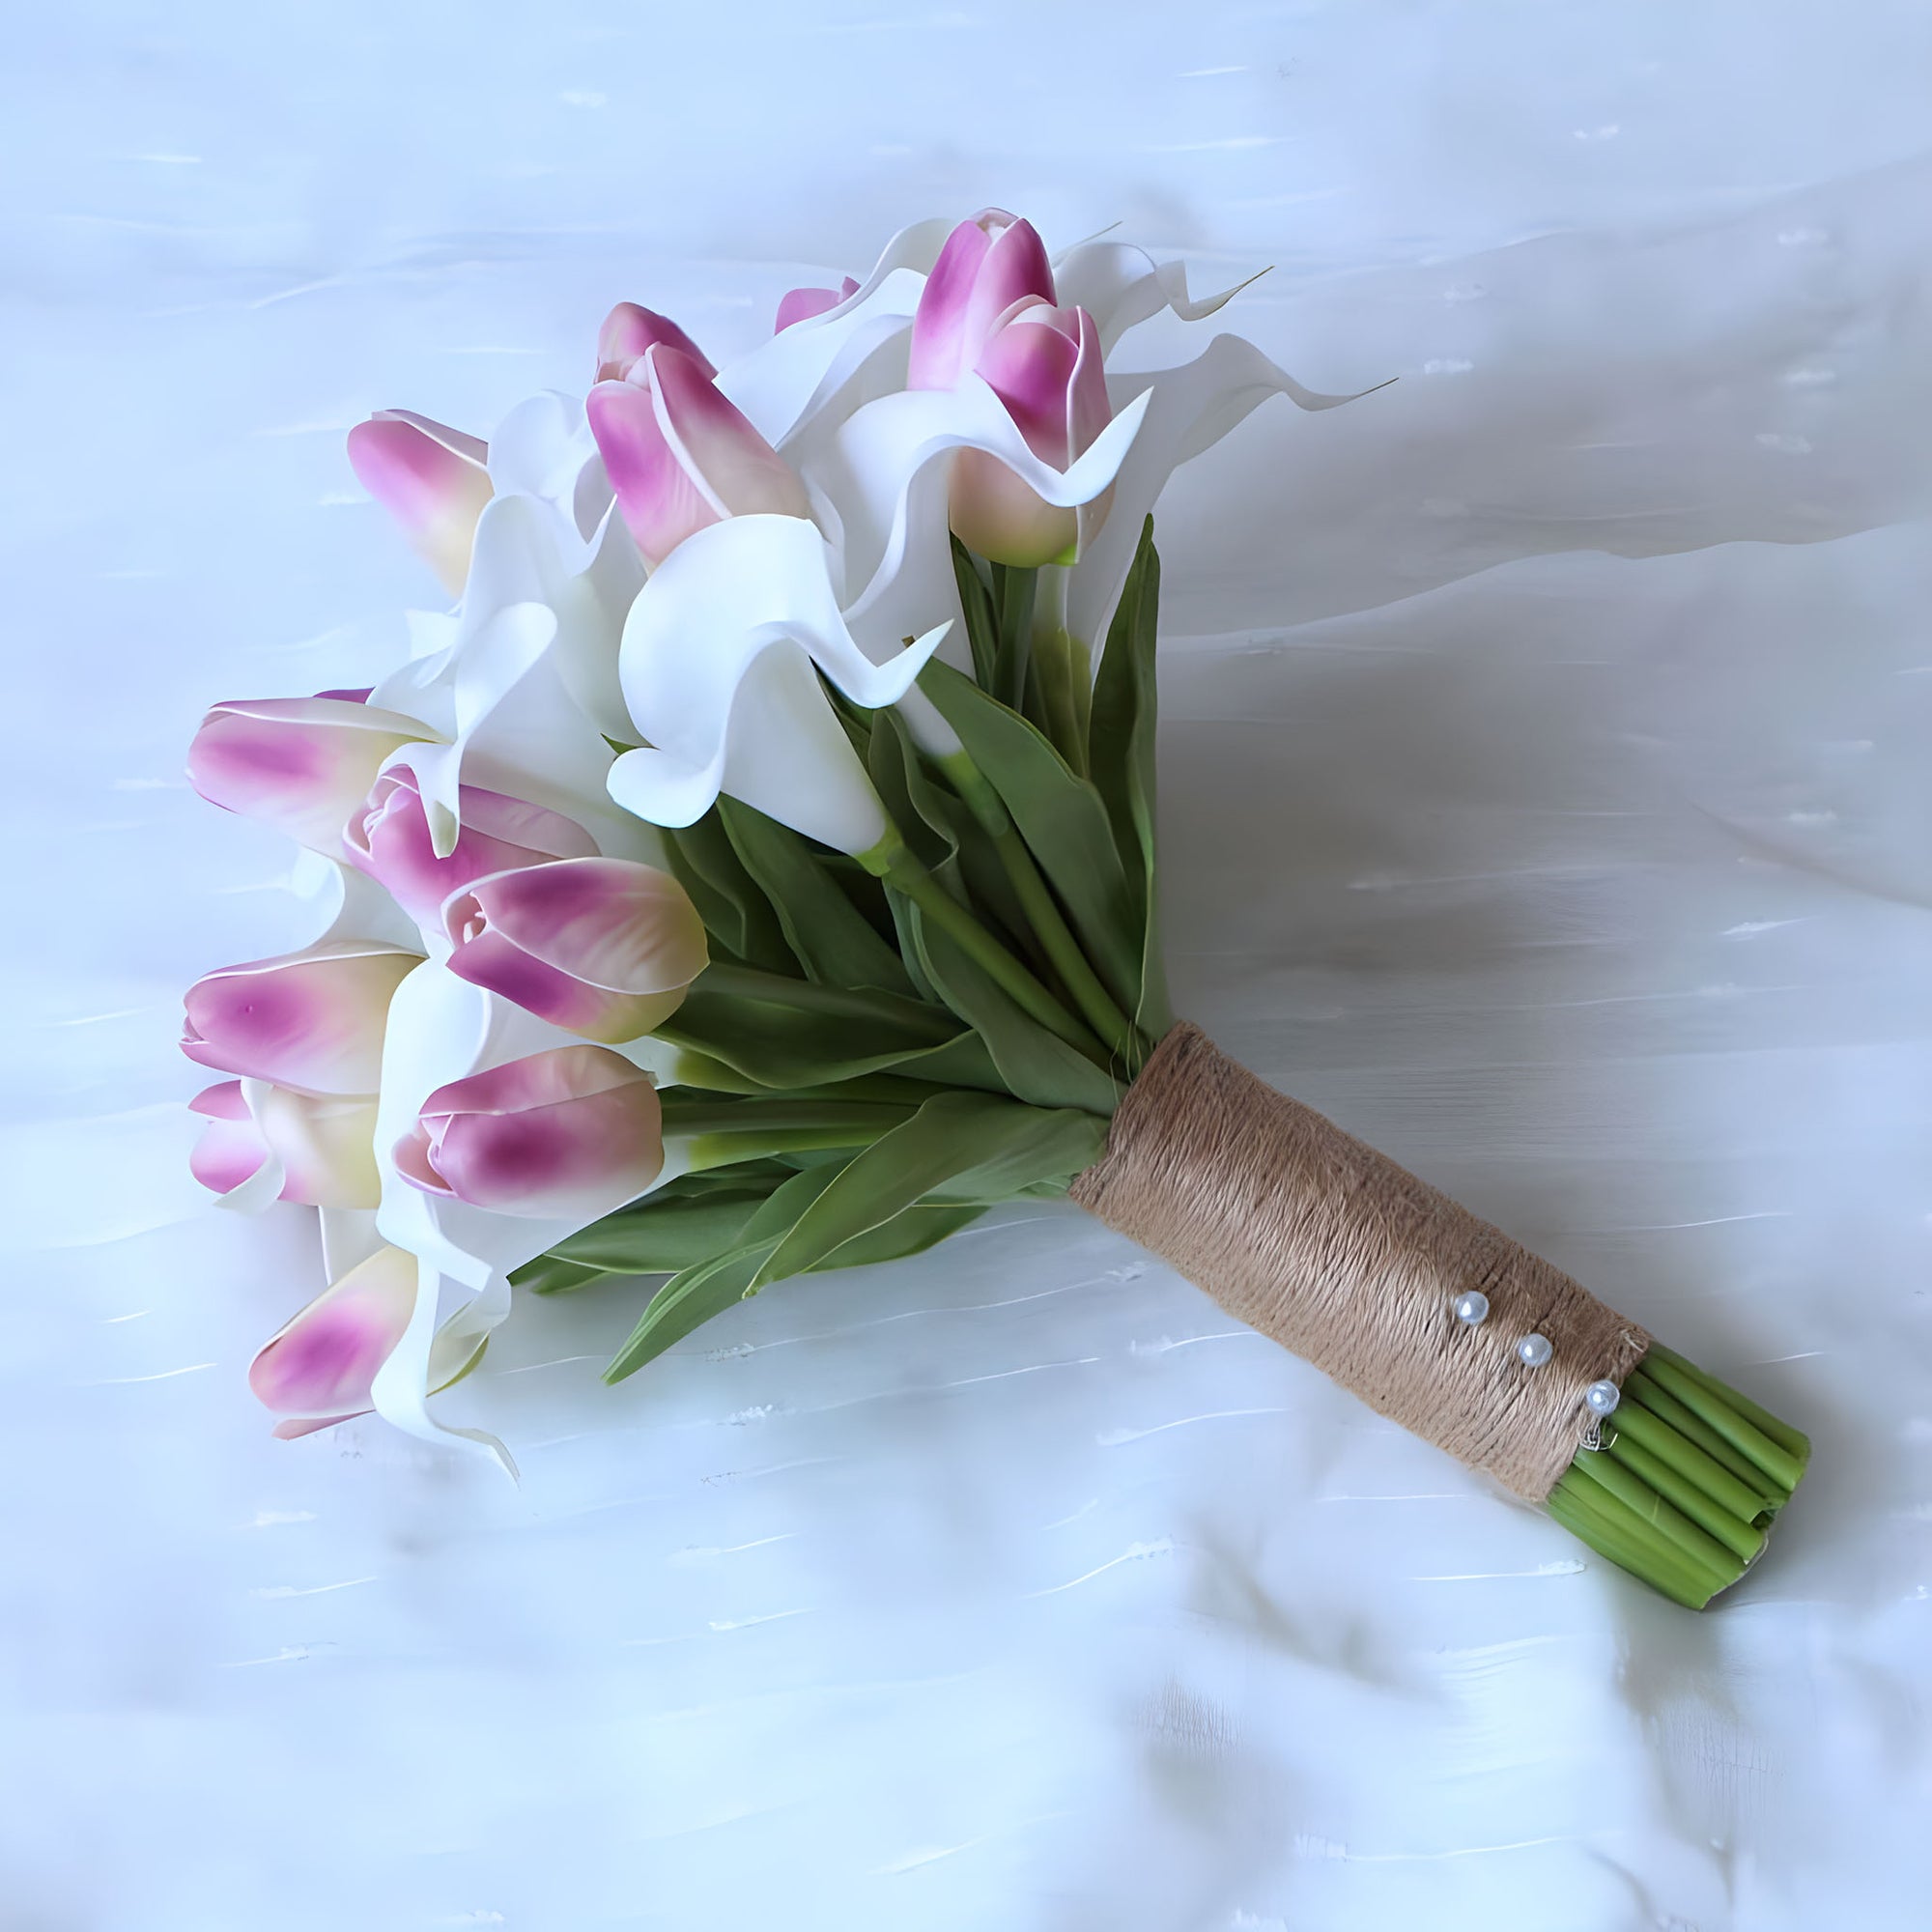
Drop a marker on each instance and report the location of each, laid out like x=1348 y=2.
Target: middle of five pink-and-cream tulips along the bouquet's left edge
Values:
x=308 y=1021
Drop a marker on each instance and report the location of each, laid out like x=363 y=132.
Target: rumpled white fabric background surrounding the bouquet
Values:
x=1547 y=756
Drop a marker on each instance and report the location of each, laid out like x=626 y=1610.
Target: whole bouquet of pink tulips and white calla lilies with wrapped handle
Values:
x=754 y=874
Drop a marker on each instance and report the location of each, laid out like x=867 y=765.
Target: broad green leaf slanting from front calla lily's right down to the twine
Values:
x=1064 y=822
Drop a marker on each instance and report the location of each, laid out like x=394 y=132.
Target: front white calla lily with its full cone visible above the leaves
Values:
x=720 y=677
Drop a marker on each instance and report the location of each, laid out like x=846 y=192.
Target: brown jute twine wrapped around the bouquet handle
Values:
x=1334 y=1251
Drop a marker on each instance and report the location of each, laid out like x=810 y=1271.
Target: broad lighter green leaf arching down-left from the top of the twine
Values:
x=971 y=1145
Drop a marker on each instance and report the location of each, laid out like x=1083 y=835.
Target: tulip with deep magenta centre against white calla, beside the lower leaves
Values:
x=567 y=1135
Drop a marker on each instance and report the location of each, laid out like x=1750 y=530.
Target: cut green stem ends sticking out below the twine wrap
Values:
x=1686 y=1485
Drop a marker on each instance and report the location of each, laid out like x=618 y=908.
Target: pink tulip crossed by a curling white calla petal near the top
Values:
x=1046 y=368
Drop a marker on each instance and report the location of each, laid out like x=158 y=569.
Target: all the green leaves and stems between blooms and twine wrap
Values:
x=870 y=1062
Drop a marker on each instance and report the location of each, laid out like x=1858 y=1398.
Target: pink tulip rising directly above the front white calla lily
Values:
x=683 y=457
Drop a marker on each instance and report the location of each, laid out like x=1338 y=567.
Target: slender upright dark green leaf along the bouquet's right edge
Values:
x=1123 y=762
